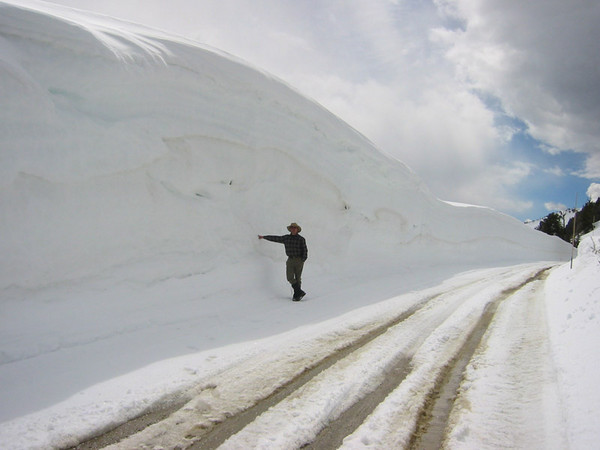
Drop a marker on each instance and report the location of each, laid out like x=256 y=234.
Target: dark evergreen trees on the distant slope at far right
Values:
x=554 y=223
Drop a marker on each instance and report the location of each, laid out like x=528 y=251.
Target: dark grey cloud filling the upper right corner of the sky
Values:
x=540 y=58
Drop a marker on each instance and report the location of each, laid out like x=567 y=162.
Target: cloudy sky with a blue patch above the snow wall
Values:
x=493 y=103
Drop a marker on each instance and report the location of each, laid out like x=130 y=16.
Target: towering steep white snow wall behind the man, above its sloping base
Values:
x=119 y=144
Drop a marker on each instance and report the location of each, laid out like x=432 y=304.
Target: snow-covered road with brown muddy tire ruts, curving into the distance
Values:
x=383 y=383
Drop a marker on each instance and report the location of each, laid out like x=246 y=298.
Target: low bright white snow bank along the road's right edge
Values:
x=573 y=305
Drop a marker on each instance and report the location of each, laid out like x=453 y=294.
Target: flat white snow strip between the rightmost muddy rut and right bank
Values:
x=509 y=396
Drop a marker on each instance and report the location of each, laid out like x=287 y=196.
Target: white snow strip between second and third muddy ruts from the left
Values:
x=299 y=418
